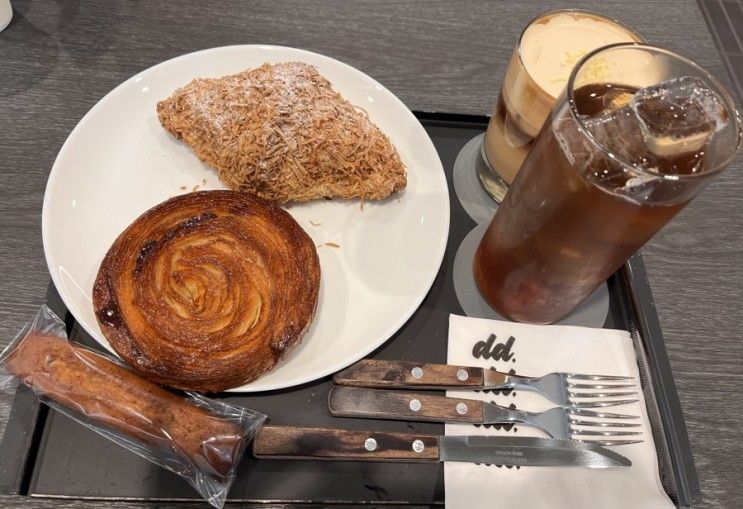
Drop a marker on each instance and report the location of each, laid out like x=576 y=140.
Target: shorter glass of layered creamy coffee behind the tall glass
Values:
x=546 y=52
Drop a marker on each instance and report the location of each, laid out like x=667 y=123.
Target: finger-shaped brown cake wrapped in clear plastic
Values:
x=198 y=438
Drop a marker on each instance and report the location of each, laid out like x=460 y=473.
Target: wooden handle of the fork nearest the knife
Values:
x=408 y=406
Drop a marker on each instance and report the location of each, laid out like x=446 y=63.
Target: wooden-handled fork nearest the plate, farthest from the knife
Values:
x=564 y=389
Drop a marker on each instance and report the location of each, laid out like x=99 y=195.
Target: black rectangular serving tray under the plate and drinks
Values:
x=45 y=454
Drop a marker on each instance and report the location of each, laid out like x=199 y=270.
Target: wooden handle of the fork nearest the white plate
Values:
x=400 y=374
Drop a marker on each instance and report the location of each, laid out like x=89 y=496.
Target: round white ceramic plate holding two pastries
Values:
x=119 y=162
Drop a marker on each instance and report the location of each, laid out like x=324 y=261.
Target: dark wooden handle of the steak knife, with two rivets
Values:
x=337 y=444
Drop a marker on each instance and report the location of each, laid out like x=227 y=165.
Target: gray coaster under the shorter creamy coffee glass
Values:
x=474 y=199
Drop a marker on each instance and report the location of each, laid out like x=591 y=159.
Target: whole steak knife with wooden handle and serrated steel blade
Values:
x=352 y=445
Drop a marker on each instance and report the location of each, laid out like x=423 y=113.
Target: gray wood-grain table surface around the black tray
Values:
x=58 y=58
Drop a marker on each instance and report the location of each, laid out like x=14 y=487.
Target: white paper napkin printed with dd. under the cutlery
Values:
x=534 y=350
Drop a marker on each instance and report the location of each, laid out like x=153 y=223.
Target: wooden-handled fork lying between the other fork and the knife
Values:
x=565 y=423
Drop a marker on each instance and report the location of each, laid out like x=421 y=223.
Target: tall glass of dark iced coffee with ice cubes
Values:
x=638 y=132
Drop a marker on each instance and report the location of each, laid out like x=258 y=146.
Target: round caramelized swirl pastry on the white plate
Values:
x=208 y=290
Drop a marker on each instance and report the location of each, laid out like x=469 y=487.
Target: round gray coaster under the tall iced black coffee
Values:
x=591 y=312
